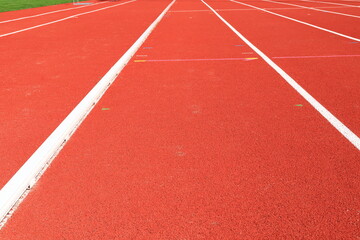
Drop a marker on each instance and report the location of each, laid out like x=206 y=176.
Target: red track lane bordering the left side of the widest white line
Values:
x=43 y=82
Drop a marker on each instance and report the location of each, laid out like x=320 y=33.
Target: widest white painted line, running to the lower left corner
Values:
x=27 y=175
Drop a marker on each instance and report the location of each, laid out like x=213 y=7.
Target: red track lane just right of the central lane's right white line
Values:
x=334 y=85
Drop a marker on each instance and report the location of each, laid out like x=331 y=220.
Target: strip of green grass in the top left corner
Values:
x=11 y=5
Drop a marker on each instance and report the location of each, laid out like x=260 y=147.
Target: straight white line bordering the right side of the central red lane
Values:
x=346 y=132
